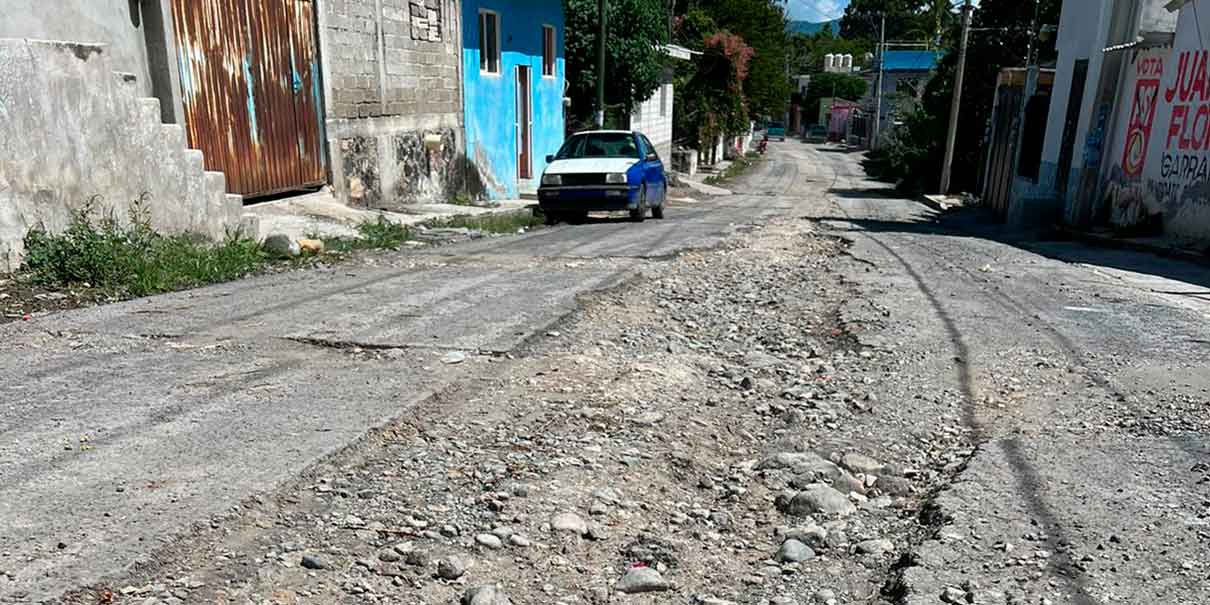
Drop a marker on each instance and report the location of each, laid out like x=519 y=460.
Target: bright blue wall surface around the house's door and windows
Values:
x=492 y=100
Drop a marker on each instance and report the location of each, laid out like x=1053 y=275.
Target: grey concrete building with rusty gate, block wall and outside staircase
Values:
x=218 y=102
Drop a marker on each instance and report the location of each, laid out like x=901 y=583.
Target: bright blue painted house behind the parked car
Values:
x=514 y=83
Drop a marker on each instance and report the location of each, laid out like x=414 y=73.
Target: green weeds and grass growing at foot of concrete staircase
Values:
x=132 y=260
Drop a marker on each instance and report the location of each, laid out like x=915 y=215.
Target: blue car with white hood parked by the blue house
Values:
x=604 y=171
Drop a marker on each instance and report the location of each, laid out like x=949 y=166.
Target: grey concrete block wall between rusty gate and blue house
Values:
x=393 y=80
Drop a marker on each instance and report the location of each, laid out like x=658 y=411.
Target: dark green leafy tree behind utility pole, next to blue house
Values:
x=635 y=62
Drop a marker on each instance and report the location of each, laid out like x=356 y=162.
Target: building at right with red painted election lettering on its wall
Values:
x=1115 y=137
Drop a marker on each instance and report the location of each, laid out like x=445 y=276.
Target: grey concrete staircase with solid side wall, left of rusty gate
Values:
x=73 y=131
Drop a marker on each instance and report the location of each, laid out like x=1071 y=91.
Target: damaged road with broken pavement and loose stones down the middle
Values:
x=811 y=393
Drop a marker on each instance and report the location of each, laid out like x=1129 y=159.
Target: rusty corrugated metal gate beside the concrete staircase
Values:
x=250 y=78
